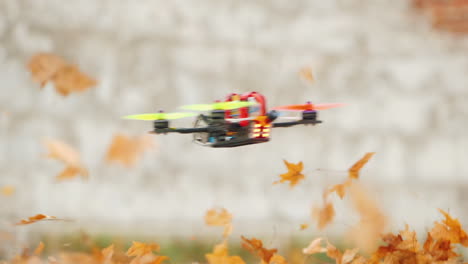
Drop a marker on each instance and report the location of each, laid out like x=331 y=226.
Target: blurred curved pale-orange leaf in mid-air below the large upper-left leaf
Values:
x=65 y=153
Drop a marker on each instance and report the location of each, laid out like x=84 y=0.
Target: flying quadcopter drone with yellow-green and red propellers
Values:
x=239 y=120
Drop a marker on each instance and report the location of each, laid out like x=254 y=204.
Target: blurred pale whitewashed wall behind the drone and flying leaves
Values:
x=400 y=66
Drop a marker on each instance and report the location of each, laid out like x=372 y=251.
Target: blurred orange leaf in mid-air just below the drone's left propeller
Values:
x=126 y=150
